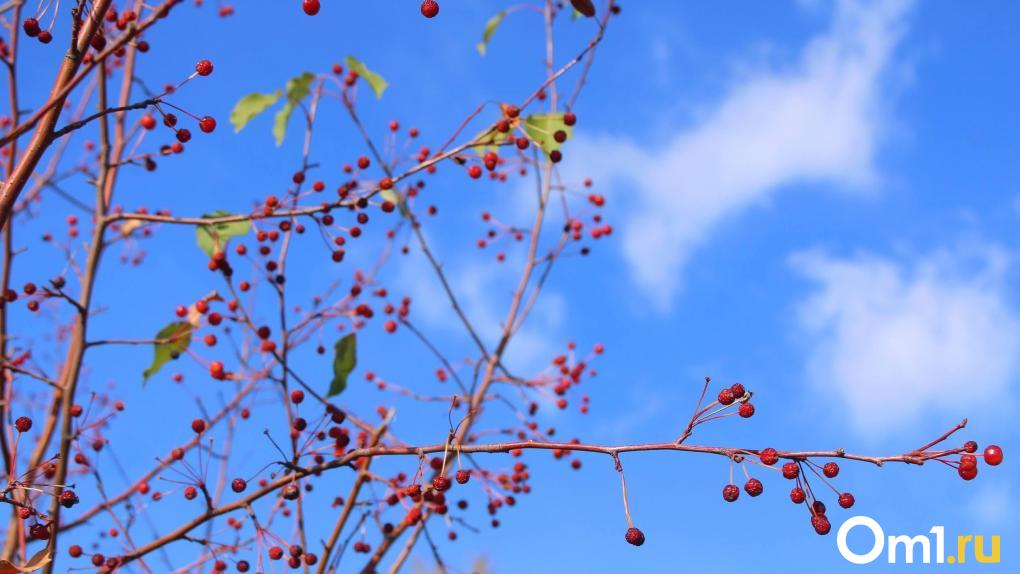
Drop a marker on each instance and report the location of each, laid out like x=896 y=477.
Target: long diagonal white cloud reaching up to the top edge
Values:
x=819 y=121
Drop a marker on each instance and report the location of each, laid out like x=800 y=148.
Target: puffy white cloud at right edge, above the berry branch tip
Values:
x=894 y=342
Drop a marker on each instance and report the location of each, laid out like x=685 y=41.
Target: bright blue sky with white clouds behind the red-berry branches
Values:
x=819 y=200
